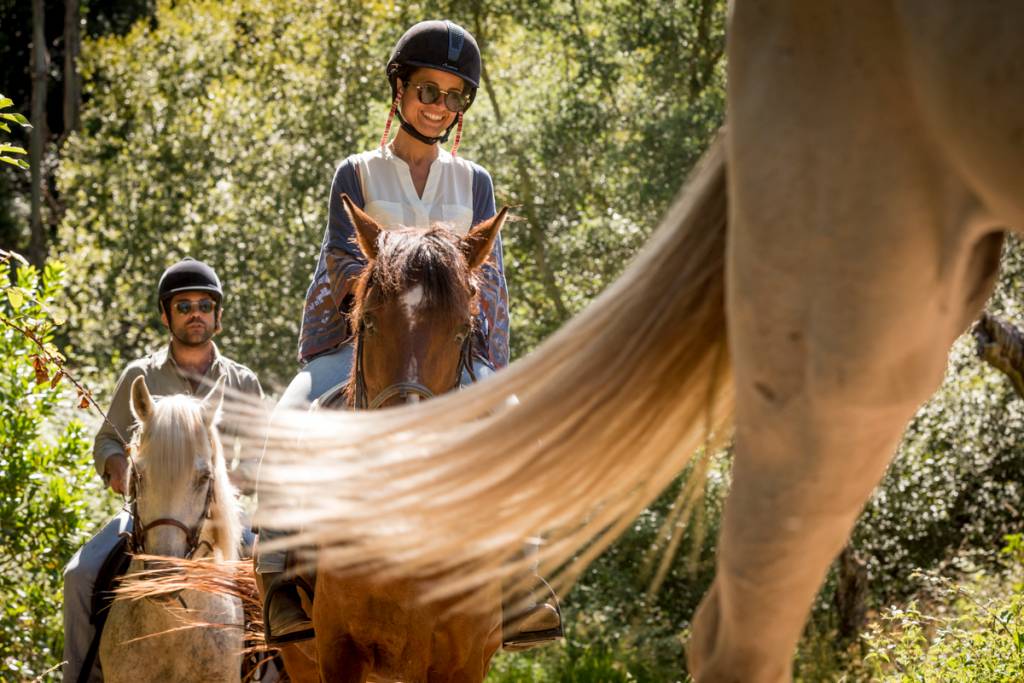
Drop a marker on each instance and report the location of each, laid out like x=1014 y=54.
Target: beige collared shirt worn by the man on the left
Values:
x=164 y=378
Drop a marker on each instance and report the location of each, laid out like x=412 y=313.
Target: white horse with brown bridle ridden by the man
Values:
x=185 y=507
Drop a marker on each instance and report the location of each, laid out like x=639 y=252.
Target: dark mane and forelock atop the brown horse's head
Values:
x=430 y=259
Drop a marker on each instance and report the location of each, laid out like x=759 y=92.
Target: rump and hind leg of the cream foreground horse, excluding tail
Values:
x=856 y=261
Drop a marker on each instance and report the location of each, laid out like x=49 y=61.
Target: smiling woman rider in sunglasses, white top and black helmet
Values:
x=435 y=72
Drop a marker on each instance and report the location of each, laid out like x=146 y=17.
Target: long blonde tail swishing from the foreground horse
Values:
x=612 y=408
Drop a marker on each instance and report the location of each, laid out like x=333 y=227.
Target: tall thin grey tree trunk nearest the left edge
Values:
x=40 y=67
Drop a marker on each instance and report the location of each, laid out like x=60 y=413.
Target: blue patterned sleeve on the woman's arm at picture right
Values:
x=494 y=318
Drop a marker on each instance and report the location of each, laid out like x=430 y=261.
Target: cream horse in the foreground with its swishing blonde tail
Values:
x=875 y=154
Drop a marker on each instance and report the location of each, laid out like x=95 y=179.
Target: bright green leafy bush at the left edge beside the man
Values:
x=48 y=487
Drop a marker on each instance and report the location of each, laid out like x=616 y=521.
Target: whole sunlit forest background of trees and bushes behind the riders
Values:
x=212 y=130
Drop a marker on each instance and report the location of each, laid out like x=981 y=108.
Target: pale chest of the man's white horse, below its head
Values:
x=131 y=653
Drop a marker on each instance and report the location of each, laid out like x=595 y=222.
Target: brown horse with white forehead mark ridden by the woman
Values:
x=414 y=311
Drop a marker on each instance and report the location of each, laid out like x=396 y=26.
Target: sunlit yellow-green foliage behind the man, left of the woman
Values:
x=215 y=133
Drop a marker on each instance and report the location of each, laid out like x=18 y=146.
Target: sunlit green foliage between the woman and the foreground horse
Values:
x=591 y=119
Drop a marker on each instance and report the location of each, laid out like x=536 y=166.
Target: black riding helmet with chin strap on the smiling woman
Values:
x=436 y=45
